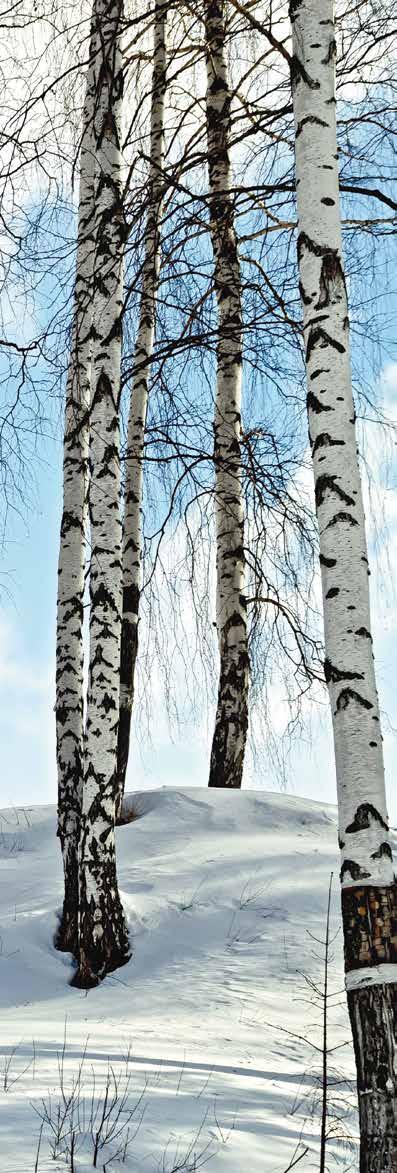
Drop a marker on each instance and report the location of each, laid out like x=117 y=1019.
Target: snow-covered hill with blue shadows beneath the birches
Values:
x=197 y=1038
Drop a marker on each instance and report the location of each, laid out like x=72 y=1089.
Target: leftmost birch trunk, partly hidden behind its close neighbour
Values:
x=71 y=574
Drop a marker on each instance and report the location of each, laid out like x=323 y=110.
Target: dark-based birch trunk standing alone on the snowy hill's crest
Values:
x=232 y=714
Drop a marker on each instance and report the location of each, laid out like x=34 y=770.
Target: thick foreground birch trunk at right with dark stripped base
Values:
x=369 y=903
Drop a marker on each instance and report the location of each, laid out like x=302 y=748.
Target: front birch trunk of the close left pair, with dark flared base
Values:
x=103 y=933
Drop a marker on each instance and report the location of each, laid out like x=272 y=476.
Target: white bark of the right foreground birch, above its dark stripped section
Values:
x=349 y=665
